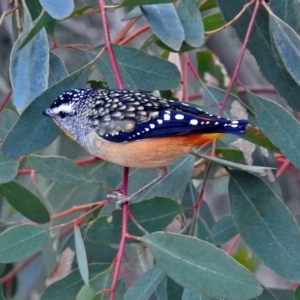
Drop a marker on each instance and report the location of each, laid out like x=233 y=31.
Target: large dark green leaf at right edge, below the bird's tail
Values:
x=260 y=215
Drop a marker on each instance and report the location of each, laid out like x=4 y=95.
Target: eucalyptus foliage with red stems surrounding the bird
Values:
x=174 y=241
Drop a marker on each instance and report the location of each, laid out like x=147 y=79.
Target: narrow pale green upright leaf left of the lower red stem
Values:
x=81 y=255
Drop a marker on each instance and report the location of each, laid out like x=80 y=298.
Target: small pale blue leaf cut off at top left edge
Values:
x=56 y=10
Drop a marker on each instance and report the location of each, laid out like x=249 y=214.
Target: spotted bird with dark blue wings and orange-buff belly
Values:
x=136 y=129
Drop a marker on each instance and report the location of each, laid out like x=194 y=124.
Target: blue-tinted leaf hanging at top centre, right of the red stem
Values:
x=165 y=23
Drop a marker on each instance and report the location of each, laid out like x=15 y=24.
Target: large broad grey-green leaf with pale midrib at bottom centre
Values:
x=214 y=273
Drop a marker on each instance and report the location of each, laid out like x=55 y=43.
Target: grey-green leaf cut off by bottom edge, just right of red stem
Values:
x=145 y=286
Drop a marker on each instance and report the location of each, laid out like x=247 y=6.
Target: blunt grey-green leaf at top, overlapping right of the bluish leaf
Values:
x=191 y=21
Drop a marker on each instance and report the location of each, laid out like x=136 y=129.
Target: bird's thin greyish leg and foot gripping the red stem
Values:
x=162 y=172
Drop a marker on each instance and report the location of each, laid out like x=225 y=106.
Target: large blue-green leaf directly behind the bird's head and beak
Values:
x=33 y=126
